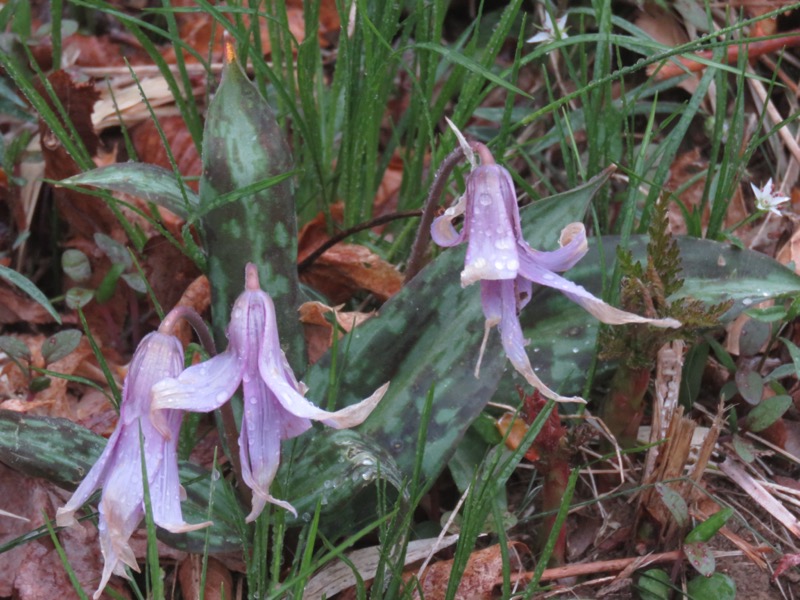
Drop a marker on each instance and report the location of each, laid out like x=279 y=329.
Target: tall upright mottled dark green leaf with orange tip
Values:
x=243 y=145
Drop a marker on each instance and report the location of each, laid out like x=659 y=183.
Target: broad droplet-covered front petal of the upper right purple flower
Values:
x=492 y=226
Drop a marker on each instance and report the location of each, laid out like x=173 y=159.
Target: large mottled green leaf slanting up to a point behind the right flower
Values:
x=429 y=335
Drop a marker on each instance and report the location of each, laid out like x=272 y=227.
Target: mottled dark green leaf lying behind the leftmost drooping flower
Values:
x=63 y=452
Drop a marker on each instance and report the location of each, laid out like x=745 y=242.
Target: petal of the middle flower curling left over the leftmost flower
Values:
x=200 y=388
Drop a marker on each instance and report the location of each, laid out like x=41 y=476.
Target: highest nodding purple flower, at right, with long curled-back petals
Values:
x=507 y=266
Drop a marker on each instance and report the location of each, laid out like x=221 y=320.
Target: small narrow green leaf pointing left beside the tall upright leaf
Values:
x=148 y=182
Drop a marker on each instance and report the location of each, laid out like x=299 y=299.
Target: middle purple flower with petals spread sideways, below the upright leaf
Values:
x=274 y=406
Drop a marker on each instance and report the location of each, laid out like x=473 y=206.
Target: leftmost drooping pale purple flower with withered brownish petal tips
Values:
x=119 y=469
